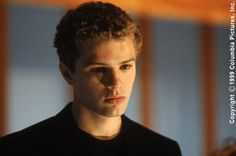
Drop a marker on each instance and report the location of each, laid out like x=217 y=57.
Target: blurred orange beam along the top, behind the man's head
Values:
x=204 y=11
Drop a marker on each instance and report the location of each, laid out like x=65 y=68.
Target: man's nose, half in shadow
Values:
x=114 y=80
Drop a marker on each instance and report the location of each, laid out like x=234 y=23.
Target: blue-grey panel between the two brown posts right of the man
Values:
x=177 y=85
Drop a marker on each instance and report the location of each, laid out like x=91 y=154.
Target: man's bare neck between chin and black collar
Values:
x=100 y=127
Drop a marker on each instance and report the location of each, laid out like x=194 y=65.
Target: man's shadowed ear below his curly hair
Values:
x=66 y=73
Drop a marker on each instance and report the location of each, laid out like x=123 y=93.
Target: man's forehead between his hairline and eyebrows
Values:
x=109 y=52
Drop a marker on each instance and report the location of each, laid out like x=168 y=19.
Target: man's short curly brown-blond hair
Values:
x=92 y=20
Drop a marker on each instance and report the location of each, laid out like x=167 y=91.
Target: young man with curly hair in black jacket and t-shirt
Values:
x=97 y=44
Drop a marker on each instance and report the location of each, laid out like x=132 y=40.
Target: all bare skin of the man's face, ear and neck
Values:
x=104 y=70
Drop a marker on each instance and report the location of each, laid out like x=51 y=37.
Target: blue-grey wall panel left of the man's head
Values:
x=36 y=88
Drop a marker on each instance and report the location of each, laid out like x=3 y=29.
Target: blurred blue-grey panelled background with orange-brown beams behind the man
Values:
x=181 y=89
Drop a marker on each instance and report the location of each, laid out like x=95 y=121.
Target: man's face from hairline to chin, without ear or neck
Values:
x=104 y=76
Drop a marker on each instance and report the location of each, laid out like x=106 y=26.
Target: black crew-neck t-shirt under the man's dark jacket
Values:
x=97 y=147
